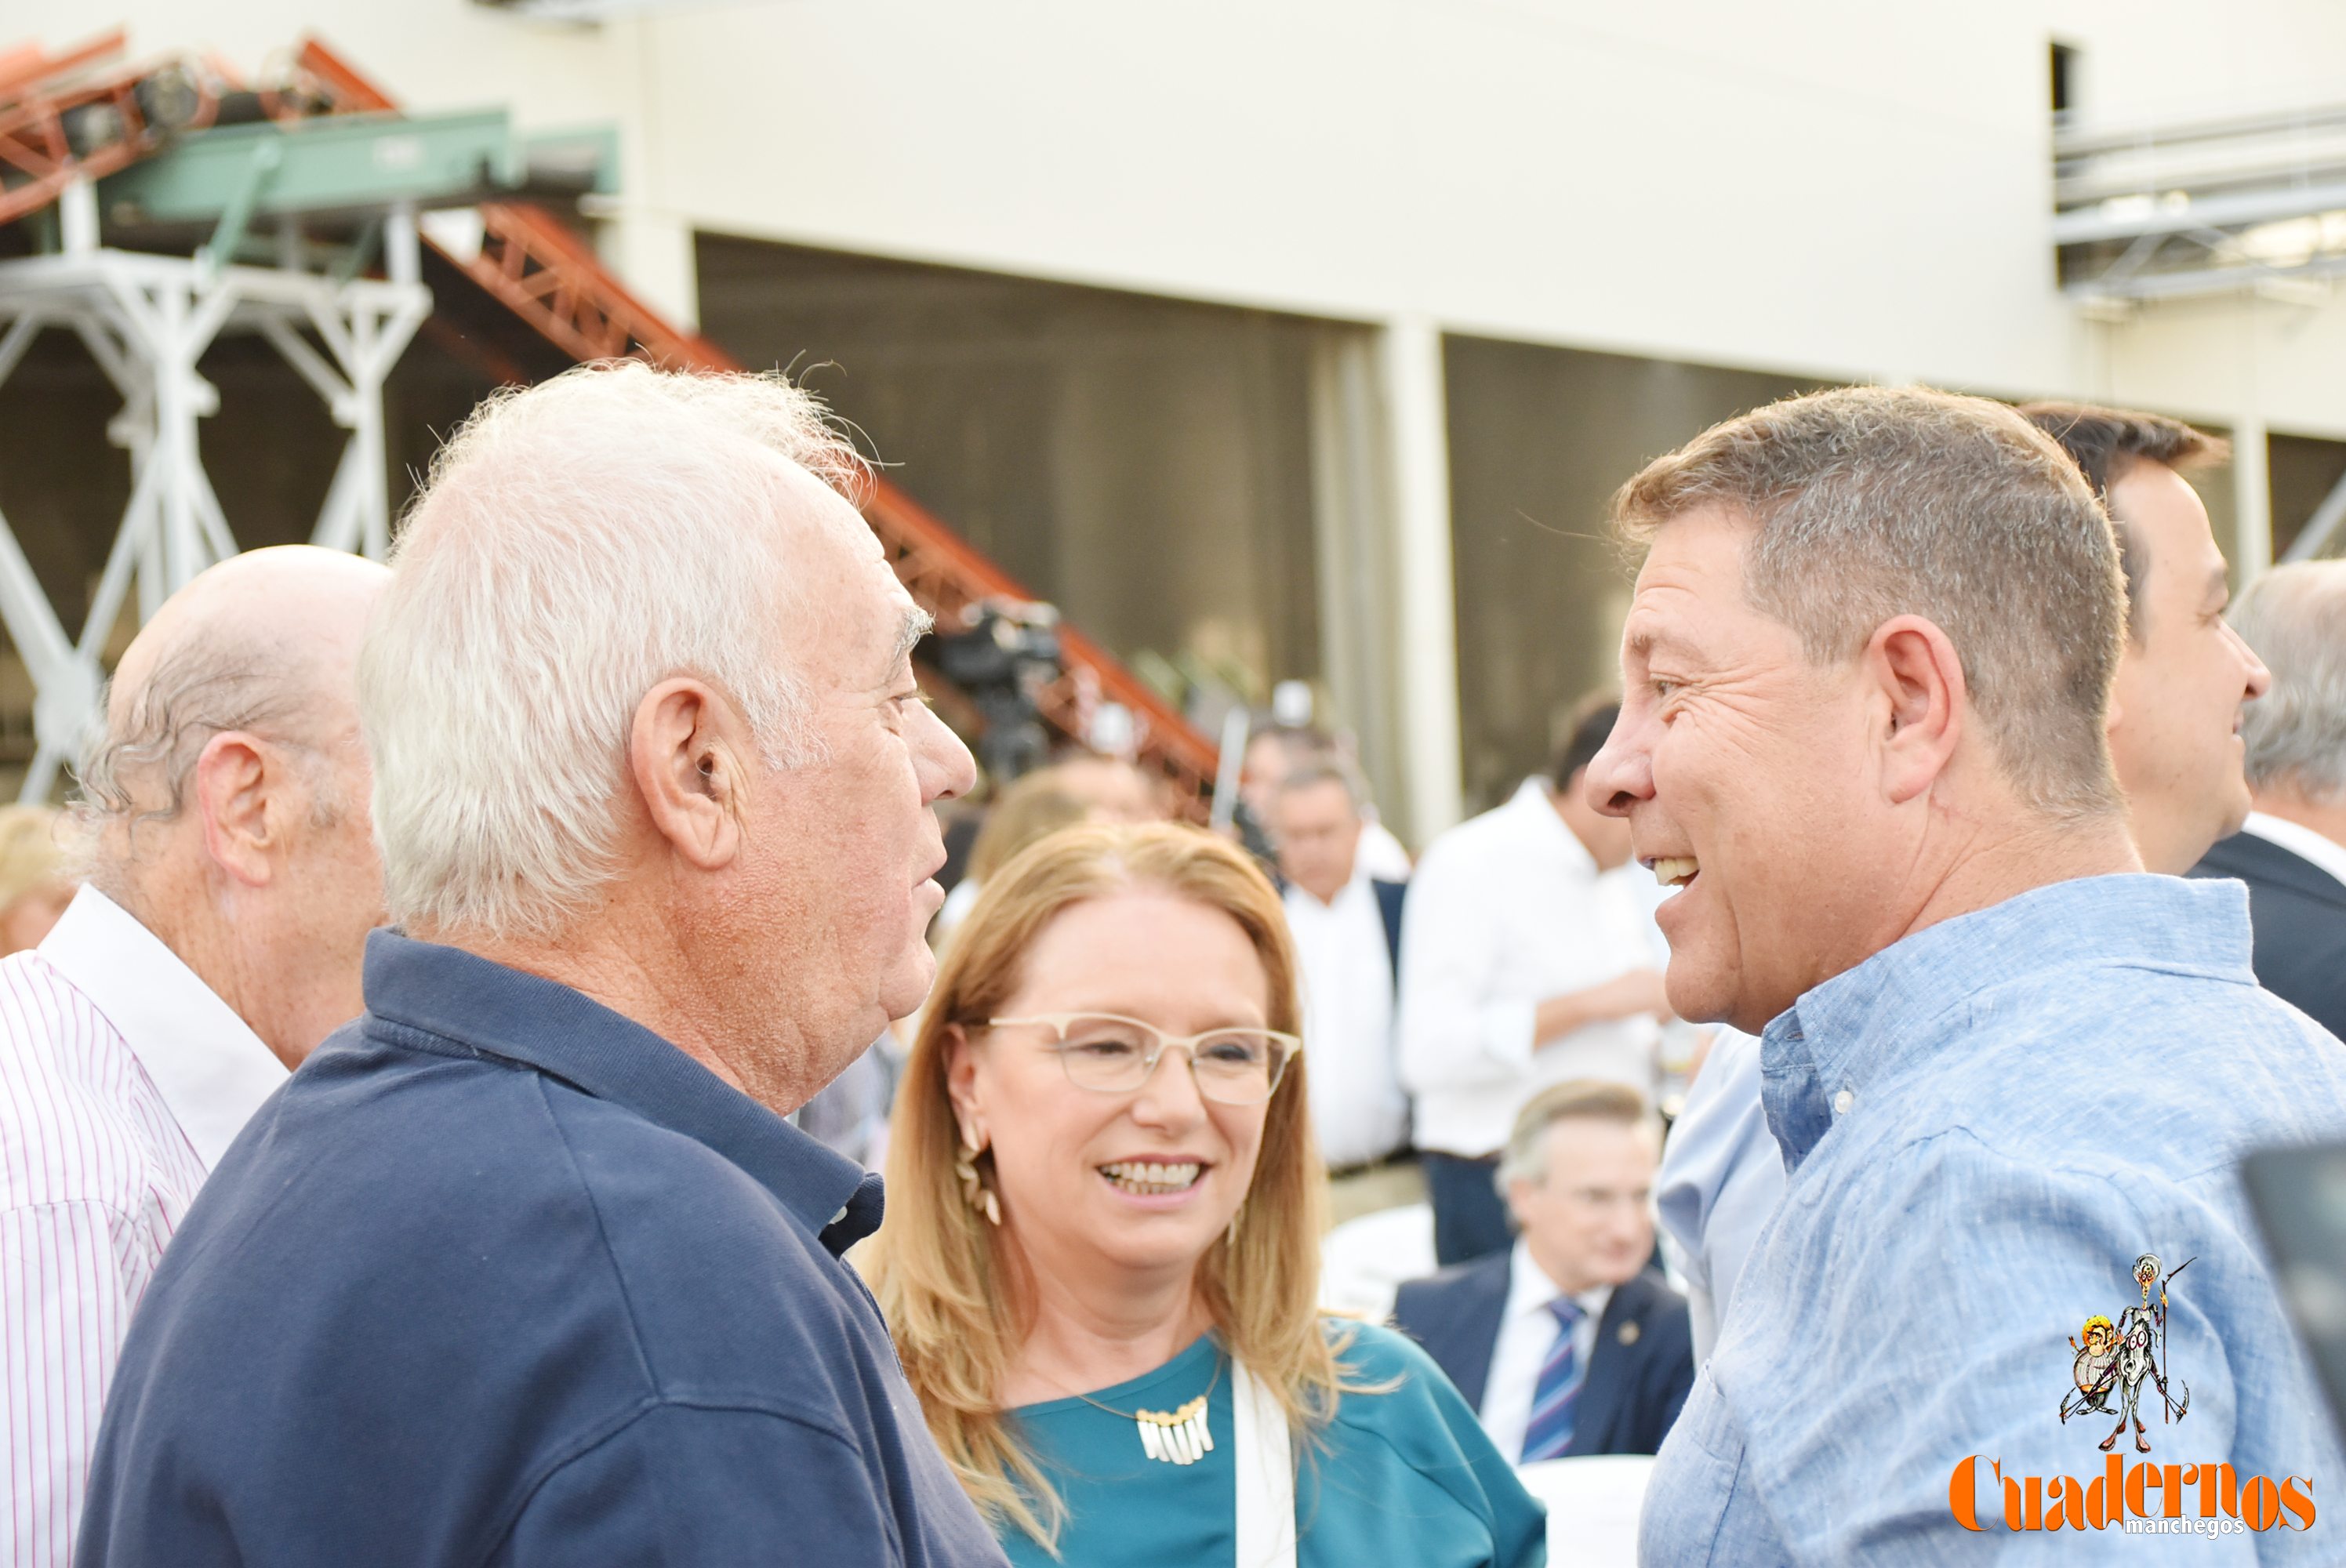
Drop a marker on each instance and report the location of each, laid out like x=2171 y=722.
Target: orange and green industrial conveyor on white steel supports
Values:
x=306 y=208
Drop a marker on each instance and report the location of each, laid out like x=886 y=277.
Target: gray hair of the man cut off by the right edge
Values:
x=2296 y=619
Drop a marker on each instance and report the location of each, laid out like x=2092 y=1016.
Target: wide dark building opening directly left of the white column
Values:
x=1144 y=464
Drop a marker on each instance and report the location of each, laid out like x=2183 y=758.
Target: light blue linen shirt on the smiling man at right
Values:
x=1986 y=1126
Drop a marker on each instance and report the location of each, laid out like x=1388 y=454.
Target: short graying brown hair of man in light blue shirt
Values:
x=1901 y=501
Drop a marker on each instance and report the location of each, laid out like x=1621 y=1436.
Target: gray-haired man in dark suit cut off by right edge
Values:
x=2293 y=849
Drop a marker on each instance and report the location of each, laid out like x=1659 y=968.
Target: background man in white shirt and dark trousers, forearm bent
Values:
x=1524 y=964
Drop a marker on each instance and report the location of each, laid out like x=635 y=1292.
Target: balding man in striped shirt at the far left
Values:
x=231 y=884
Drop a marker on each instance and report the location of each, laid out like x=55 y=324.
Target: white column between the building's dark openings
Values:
x=1425 y=623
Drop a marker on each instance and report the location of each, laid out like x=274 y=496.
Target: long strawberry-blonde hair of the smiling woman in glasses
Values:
x=940 y=1271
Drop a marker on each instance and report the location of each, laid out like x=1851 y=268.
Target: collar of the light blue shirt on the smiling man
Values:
x=1894 y=1011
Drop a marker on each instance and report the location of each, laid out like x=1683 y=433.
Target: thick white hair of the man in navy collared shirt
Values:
x=576 y=546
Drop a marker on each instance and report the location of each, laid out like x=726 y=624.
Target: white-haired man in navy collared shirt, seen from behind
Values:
x=529 y=1266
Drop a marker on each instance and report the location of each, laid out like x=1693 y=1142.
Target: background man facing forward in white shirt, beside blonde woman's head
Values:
x=1345 y=928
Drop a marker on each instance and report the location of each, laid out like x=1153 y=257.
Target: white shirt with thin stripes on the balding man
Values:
x=123 y=1081
